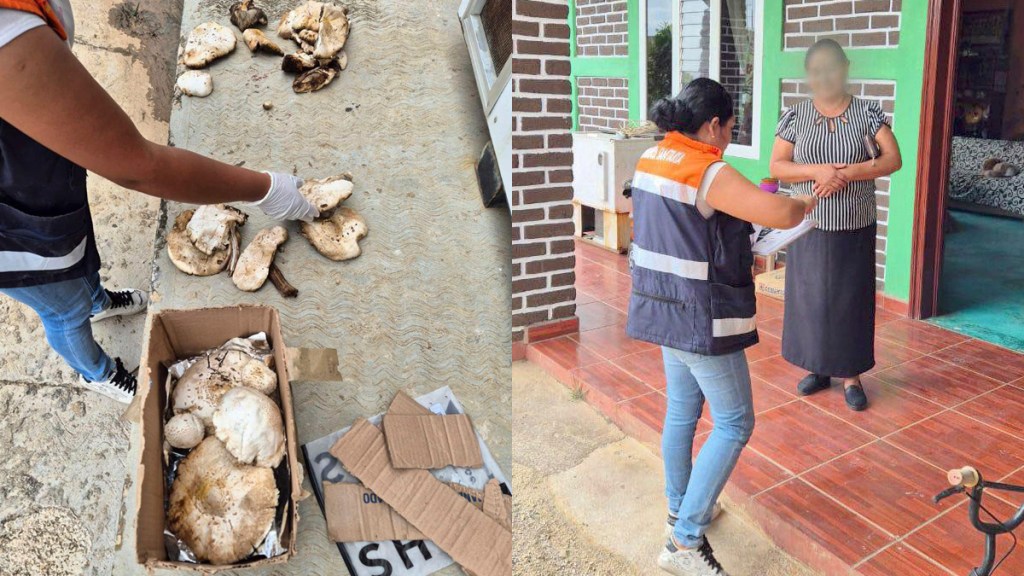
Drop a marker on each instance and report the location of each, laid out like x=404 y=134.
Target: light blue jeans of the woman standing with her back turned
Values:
x=694 y=487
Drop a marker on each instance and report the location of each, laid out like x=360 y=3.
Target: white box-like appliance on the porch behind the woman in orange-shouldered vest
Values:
x=602 y=163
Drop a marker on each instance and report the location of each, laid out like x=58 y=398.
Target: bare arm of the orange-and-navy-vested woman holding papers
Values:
x=735 y=195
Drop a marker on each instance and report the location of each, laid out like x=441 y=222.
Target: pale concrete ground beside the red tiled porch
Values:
x=590 y=501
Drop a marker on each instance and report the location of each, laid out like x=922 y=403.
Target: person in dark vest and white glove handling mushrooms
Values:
x=56 y=124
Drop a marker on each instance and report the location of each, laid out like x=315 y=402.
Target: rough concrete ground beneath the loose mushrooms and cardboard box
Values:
x=428 y=304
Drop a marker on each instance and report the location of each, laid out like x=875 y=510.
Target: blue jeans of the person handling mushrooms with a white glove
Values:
x=65 y=309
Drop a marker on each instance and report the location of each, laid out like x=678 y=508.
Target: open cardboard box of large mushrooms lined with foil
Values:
x=230 y=472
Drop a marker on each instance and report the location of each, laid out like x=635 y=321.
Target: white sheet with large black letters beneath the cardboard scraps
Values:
x=398 y=559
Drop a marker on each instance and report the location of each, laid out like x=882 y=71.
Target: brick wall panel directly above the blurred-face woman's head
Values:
x=851 y=23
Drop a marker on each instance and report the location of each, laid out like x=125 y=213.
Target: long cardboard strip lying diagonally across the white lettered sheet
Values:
x=474 y=540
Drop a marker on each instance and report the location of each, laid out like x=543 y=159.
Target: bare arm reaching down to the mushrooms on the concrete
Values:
x=51 y=97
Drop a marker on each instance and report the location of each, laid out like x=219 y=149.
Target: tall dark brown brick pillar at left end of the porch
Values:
x=542 y=167
